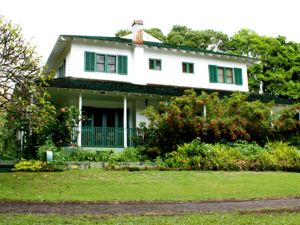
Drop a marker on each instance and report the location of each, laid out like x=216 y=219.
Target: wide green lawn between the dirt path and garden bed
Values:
x=101 y=185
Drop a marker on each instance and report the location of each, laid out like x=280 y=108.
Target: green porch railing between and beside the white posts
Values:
x=109 y=137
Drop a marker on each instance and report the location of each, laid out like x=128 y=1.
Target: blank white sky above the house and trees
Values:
x=42 y=21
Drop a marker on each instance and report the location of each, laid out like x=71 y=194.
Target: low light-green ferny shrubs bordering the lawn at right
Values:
x=233 y=156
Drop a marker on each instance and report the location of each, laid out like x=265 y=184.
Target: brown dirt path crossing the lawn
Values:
x=144 y=208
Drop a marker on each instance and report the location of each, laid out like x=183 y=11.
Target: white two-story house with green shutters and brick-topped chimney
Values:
x=112 y=80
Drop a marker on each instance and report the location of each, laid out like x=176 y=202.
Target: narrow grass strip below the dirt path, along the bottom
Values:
x=207 y=219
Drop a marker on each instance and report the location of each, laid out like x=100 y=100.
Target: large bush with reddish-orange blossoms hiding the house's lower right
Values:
x=207 y=117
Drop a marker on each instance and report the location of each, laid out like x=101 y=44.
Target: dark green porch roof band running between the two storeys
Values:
x=162 y=90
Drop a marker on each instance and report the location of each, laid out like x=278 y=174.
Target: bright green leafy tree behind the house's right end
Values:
x=279 y=62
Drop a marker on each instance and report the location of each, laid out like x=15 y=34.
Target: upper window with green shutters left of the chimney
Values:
x=105 y=63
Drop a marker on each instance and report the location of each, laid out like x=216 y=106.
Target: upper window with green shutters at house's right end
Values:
x=225 y=75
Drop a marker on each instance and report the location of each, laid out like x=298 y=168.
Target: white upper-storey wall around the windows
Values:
x=138 y=66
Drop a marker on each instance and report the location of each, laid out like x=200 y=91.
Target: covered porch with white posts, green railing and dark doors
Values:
x=106 y=119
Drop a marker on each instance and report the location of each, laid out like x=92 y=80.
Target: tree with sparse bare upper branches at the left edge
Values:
x=22 y=94
